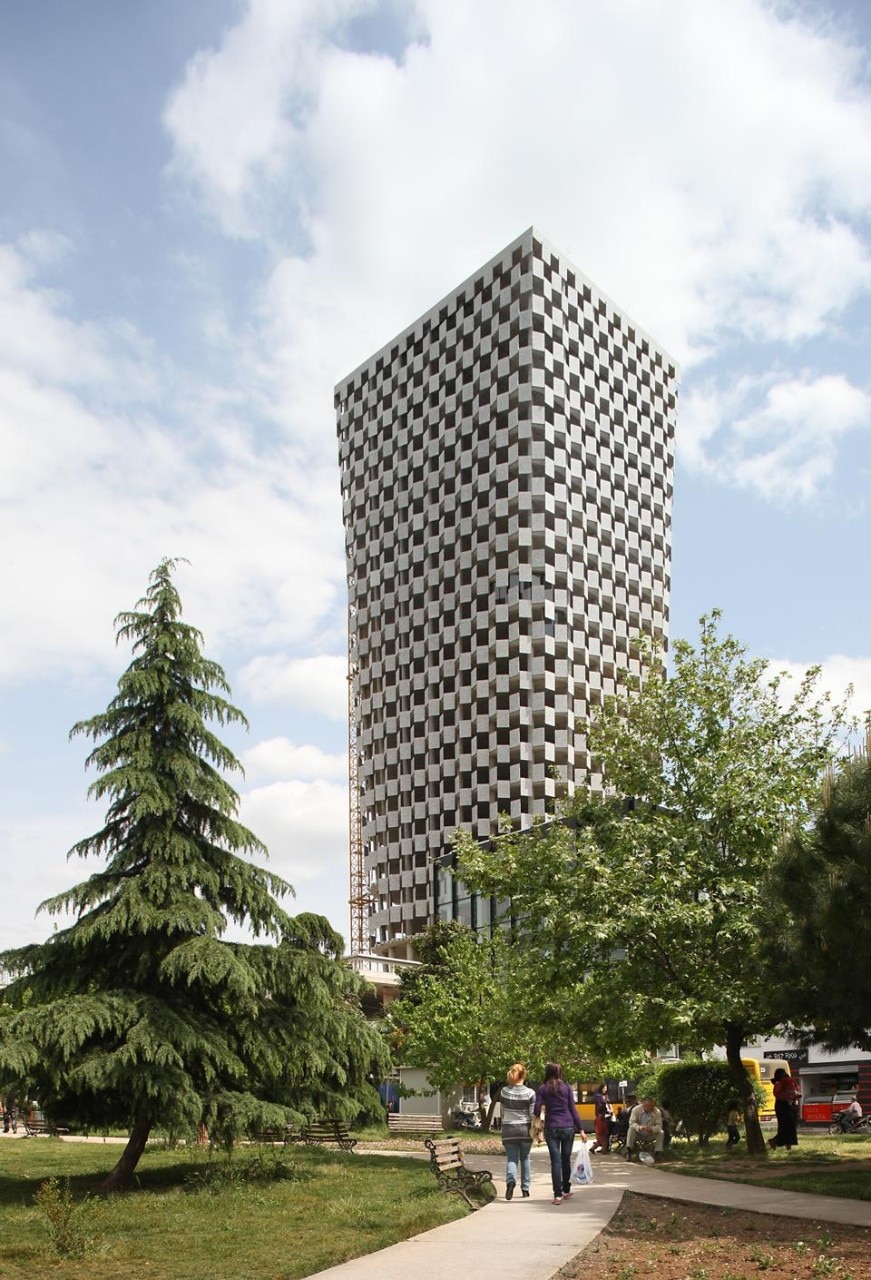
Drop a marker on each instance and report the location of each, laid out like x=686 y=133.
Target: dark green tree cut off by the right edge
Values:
x=823 y=949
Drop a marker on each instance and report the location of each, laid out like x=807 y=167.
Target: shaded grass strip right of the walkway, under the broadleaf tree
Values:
x=822 y=1164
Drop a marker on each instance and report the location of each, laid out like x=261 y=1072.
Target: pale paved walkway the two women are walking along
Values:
x=531 y=1240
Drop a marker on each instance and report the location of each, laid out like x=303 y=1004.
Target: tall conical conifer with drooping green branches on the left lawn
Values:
x=140 y=1014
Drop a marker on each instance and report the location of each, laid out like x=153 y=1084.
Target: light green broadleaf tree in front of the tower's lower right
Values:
x=645 y=908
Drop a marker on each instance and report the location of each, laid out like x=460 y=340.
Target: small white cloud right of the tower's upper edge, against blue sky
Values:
x=779 y=438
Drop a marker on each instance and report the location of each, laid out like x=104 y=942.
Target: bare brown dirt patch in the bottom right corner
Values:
x=677 y=1241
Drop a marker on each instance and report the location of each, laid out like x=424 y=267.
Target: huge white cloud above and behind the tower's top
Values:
x=733 y=143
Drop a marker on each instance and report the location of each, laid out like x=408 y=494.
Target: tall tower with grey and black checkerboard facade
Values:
x=507 y=479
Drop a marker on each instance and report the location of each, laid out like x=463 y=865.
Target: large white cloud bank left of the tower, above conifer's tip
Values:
x=98 y=486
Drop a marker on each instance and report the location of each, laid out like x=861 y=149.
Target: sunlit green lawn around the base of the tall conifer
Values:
x=340 y=1208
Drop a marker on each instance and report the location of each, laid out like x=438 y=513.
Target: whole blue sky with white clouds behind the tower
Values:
x=212 y=212
